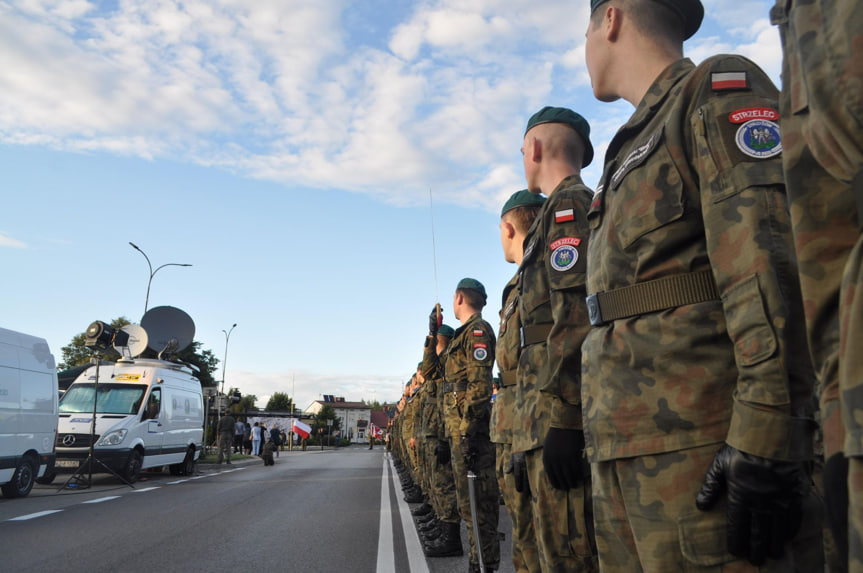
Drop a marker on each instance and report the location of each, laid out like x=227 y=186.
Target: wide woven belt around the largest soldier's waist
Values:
x=651 y=296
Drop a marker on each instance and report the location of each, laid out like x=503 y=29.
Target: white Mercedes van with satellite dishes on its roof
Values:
x=149 y=412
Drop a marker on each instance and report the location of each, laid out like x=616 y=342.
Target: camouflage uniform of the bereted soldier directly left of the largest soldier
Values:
x=554 y=322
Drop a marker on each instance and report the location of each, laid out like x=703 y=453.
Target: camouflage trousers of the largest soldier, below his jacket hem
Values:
x=646 y=520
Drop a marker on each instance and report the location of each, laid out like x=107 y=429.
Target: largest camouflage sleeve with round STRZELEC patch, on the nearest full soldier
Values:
x=751 y=254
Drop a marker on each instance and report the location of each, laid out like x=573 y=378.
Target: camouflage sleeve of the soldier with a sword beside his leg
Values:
x=478 y=348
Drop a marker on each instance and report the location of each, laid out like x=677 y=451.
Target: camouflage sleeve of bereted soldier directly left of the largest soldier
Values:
x=567 y=234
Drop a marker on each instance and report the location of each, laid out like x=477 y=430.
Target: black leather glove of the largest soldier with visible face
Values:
x=764 y=501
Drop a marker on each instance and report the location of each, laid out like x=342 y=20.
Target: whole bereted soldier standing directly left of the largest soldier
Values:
x=549 y=460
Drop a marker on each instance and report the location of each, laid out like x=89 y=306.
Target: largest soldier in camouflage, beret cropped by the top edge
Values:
x=697 y=382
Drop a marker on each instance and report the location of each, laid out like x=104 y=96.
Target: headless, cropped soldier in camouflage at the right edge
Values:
x=821 y=108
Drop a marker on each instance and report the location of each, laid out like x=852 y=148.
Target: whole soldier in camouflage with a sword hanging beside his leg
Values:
x=468 y=362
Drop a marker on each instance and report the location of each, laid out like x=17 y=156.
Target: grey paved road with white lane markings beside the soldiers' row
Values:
x=312 y=511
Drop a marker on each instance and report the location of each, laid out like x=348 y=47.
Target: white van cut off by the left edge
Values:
x=28 y=411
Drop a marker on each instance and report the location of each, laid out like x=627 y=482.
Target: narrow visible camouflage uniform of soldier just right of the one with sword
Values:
x=525 y=555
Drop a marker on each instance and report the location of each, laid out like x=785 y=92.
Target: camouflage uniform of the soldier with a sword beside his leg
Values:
x=468 y=364
